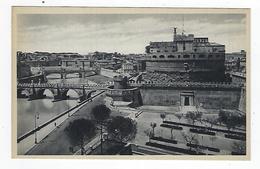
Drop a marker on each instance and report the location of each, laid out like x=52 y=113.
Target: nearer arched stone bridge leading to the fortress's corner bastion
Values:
x=36 y=90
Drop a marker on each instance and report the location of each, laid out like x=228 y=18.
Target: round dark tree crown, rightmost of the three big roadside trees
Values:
x=122 y=129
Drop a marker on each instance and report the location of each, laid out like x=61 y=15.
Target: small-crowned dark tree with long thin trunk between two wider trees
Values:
x=101 y=113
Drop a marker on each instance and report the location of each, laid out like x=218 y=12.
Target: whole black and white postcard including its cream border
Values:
x=122 y=82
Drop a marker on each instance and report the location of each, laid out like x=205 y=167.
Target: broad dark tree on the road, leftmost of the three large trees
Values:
x=79 y=131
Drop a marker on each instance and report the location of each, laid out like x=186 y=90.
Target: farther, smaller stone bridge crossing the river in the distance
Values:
x=63 y=71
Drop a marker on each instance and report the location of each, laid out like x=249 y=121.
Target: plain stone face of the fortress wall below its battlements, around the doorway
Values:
x=214 y=99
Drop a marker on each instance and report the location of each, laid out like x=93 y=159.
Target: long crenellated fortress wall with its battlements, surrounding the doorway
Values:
x=209 y=95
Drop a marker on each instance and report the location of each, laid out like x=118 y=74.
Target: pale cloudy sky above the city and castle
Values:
x=124 y=33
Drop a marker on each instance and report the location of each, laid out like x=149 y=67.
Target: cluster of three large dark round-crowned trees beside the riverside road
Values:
x=118 y=128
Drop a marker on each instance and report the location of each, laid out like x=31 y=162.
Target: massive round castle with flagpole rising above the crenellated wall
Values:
x=189 y=56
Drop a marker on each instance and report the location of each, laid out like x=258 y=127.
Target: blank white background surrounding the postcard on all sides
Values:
x=5 y=88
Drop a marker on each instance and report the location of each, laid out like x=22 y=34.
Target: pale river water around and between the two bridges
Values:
x=45 y=109
